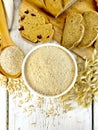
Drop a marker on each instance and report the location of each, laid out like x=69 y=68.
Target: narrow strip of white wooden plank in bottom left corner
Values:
x=3 y=109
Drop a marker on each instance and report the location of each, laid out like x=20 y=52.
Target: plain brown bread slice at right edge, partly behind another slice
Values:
x=91 y=28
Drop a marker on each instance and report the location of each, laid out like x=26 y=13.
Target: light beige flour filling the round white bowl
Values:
x=49 y=70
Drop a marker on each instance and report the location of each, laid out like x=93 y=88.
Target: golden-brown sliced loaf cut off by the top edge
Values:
x=54 y=7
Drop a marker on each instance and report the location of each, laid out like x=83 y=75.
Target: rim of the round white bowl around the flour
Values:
x=54 y=45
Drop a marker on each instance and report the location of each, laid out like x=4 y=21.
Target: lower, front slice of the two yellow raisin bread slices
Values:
x=41 y=33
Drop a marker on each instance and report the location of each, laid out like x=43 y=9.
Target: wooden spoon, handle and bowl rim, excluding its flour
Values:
x=5 y=40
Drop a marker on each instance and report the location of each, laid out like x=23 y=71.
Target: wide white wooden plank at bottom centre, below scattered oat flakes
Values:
x=78 y=119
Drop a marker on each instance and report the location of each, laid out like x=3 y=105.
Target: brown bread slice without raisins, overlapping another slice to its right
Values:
x=73 y=30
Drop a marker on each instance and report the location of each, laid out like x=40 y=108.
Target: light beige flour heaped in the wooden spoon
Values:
x=11 y=59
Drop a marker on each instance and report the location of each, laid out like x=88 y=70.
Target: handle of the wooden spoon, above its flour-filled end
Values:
x=5 y=37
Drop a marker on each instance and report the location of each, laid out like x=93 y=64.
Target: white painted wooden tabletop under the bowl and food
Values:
x=78 y=119
